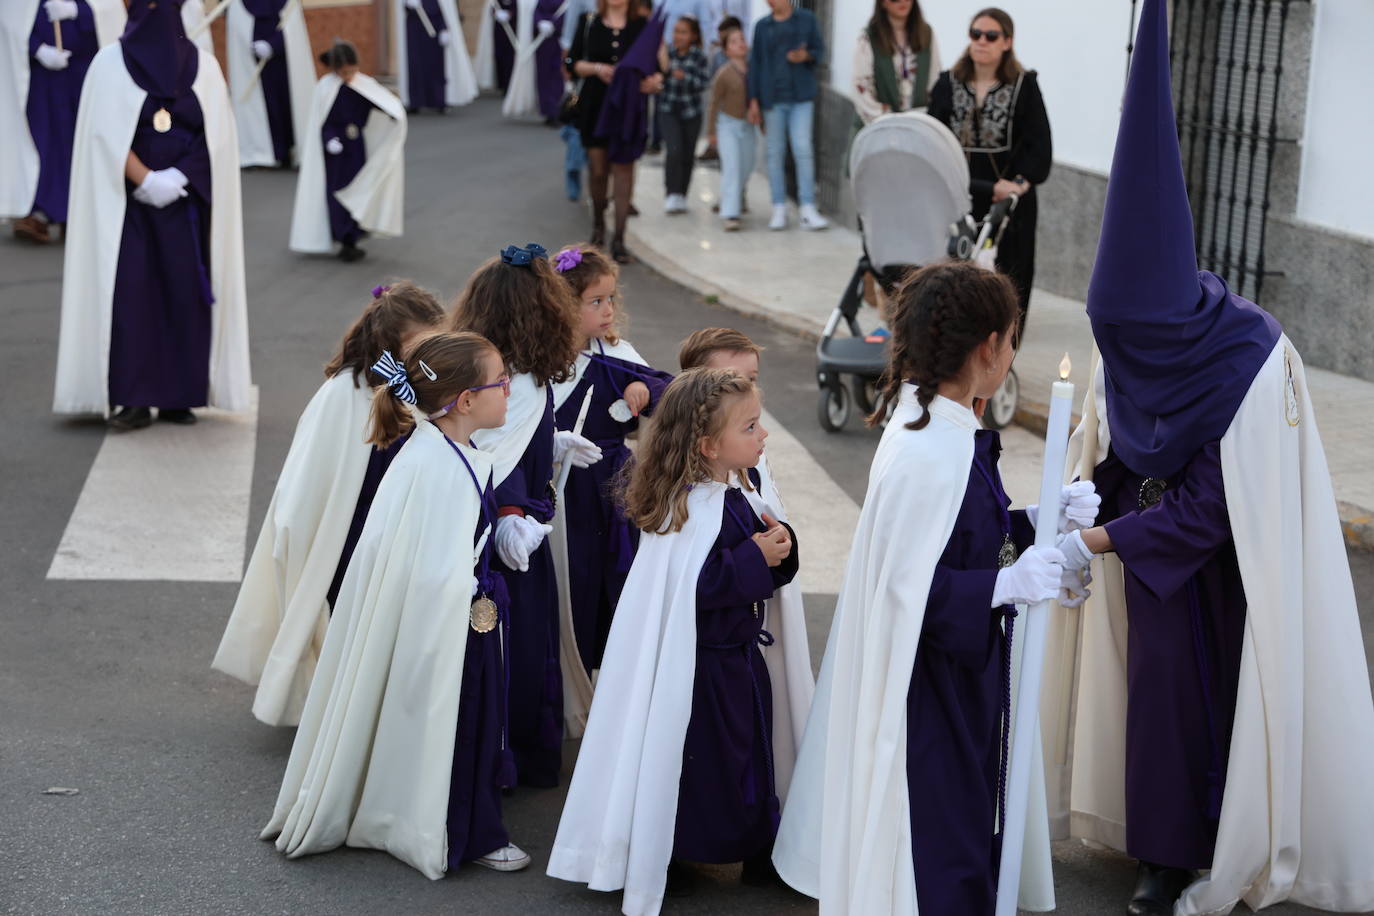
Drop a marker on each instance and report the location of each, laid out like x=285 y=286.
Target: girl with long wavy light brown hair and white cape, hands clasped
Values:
x=681 y=760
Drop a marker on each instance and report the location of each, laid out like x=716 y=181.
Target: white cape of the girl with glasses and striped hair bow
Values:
x=373 y=757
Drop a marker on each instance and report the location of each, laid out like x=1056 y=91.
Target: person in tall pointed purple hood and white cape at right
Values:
x=1232 y=734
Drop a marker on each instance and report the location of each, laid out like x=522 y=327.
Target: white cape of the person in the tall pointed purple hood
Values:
x=1299 y=805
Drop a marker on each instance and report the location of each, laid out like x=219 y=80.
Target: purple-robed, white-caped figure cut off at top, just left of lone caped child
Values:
x=271 y=78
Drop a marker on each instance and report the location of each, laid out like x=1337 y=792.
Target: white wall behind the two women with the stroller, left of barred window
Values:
x=1081 y=61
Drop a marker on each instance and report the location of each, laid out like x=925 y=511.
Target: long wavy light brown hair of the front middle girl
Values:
x=670 y=461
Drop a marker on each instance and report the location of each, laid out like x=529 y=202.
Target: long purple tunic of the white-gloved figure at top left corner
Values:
x=54 y=97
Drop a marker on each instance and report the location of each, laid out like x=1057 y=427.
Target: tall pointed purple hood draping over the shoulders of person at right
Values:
x=1180 y=350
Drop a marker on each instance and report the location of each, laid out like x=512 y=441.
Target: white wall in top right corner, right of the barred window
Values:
x=1335 y=186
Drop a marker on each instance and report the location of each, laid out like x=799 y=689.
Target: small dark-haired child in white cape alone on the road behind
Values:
x=352 y=179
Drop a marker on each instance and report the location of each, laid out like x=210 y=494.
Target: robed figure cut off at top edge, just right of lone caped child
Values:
x=432 y=65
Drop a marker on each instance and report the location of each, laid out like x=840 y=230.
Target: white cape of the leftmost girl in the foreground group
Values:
x=278 y=624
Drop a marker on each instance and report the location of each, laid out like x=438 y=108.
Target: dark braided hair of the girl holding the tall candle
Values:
x=942 y=314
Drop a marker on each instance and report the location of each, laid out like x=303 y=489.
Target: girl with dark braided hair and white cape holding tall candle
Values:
x=921 y=645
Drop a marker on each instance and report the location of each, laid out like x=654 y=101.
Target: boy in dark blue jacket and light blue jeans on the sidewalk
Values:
x=782 y=97
